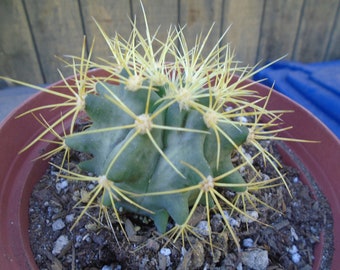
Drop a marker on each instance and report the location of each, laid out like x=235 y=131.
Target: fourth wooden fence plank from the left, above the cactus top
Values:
x=161 y=14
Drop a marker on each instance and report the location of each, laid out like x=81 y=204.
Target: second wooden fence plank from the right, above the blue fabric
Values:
x=315 y=29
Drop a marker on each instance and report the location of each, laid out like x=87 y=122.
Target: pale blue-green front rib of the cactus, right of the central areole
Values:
x=182 y=147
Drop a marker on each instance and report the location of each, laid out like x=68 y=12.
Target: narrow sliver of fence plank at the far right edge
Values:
x=333 y=52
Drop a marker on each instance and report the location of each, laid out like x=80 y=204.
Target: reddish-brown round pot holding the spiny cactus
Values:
x=19 y=172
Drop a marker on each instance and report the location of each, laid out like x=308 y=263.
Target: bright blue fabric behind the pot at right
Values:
x=315 y=86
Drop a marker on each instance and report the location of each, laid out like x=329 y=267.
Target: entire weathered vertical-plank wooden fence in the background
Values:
x=32 y=32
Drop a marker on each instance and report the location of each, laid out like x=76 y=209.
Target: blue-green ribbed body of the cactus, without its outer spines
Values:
x=144 y=143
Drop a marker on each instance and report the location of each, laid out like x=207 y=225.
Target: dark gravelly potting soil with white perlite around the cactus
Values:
x=286 y=242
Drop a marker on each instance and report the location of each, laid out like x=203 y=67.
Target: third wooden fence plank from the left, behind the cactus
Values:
x=112 y=16
